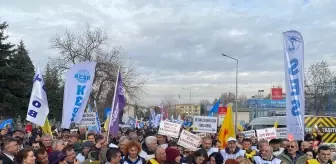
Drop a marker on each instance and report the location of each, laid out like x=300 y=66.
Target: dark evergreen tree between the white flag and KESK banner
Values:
x=54 y=92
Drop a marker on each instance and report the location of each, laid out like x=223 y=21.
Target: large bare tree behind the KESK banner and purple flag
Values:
x=92 y=45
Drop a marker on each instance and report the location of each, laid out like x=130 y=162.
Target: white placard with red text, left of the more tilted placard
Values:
x=169 y=129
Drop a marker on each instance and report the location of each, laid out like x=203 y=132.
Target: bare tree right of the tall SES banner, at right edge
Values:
x=319 y=86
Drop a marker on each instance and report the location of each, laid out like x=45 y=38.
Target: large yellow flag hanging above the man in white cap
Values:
x=227 y=129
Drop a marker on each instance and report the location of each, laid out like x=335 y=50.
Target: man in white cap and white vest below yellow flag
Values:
x=232 y=151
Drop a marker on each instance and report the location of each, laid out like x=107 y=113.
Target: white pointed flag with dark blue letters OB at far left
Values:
x=38 y=109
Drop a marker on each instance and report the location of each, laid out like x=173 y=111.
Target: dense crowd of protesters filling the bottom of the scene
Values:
x=141 y=146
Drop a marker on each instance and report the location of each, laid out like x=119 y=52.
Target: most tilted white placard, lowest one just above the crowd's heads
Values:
x=189 y=140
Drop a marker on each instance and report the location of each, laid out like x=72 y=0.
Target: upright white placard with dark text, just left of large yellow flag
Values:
x=205 y=124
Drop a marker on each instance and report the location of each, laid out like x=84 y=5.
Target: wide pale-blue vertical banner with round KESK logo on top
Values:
x=77 y=89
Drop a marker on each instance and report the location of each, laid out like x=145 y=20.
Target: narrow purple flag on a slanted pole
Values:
x=118 y=106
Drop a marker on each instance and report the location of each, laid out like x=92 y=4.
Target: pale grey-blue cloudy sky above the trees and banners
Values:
x=178 y=43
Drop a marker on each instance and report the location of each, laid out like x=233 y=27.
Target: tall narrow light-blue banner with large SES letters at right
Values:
x=294 y=77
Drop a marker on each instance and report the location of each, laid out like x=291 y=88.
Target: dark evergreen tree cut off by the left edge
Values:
x=6 y=71
